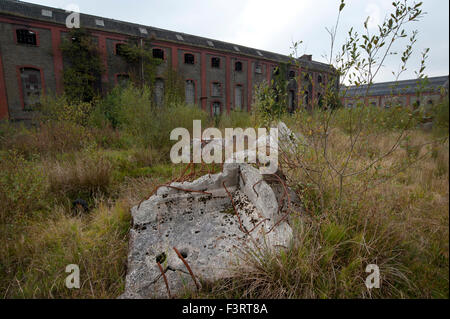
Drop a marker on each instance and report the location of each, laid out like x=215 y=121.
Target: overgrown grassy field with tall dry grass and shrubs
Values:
x=394 y=214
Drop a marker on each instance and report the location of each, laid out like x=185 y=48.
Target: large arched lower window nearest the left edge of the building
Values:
x=31 y=87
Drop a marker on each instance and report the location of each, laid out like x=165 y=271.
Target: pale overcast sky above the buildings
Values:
x=273 y=24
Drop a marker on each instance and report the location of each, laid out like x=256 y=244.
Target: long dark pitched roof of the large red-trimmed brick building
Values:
x=34 y=11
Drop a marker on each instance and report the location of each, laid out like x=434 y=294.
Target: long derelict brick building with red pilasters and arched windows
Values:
x=218 y=76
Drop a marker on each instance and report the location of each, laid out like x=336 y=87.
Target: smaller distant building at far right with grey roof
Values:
x=403 y=93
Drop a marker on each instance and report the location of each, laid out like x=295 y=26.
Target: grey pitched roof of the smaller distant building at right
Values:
x=434 y=84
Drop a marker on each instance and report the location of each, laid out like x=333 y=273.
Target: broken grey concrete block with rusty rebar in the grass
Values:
x=199 y=220
